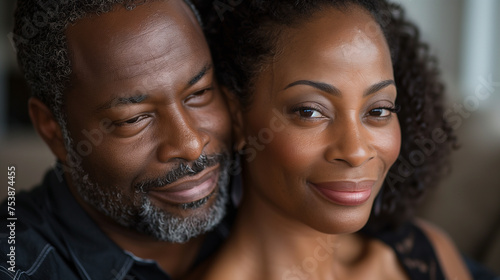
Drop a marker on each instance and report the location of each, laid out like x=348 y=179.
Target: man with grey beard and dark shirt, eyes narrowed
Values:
x=125 y=97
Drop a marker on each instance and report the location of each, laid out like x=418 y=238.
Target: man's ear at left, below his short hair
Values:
x=47 y=127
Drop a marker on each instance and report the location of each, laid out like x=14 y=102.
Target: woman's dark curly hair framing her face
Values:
x=245 y=37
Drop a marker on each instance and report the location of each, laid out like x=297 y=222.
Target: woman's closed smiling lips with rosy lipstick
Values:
x=347 y=193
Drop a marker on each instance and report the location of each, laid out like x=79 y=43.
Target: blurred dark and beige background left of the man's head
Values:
x=19 y=144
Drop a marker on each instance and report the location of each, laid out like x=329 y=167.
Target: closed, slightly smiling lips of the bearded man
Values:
x=190 y=188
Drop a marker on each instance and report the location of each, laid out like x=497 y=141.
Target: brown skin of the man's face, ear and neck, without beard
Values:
x=154 y=50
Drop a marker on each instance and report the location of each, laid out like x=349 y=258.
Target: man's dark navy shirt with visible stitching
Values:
x=56 y=239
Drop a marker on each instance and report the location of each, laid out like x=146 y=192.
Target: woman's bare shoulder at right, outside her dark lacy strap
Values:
x=449 y=257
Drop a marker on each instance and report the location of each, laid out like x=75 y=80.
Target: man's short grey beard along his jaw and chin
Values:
x=140 y=214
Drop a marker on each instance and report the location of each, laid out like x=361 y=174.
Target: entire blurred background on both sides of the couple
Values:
x=463 y=34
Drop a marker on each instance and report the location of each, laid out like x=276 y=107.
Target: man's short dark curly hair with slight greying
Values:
x=40 y=41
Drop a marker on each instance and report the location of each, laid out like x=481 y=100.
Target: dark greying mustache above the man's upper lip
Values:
x=183 y=170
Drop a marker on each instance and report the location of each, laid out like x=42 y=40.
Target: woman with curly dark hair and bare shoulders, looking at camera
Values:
x=330 y=100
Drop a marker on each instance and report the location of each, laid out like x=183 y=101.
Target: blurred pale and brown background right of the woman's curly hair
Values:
x=465 y=37
